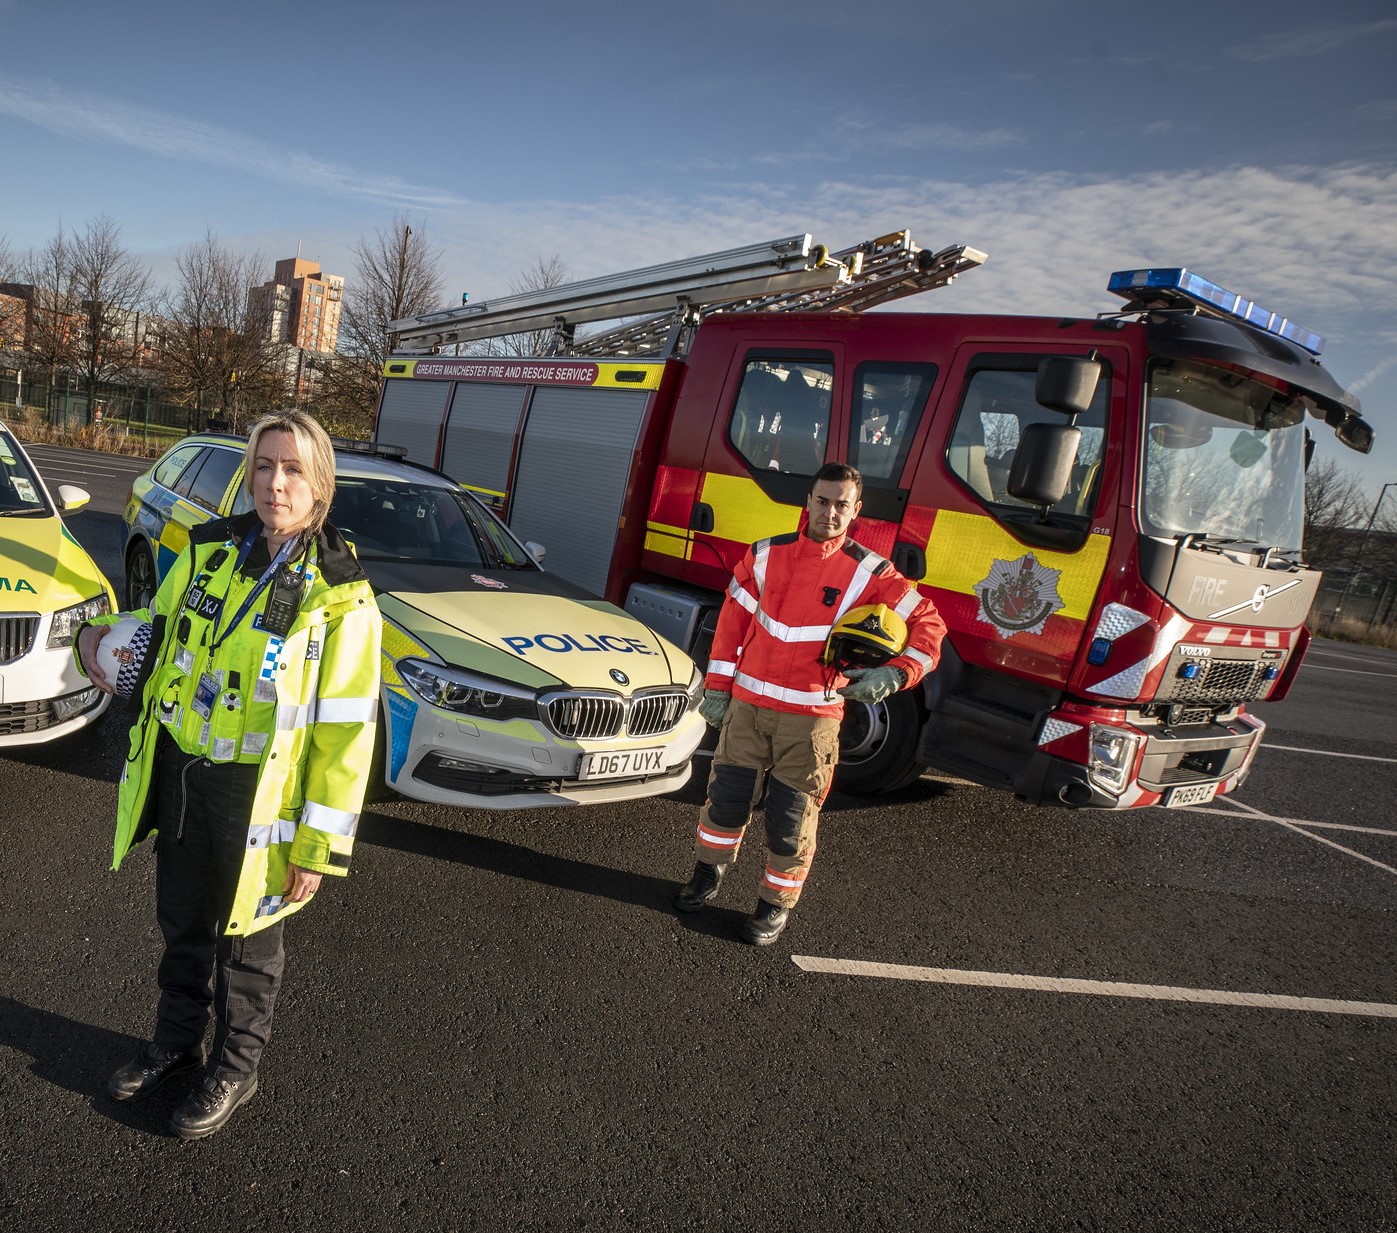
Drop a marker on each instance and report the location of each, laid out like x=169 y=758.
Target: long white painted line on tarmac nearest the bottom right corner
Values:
x=1275 y=1002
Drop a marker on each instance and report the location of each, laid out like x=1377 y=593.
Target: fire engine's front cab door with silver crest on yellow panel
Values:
x=1012 y=586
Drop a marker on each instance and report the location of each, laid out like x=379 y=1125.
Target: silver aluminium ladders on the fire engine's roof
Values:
x=782 y=276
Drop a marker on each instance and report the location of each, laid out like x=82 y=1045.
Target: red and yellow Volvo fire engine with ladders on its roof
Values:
x=1107 y=510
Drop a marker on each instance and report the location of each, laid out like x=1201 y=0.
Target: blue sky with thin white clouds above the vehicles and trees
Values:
x=1255 y=143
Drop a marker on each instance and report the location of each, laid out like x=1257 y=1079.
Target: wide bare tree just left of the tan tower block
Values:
x=219 y=354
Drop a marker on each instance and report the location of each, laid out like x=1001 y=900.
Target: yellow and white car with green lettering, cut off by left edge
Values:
x=48 y=587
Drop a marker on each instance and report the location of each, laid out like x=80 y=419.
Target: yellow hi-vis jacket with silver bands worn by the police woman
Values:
x=309 y=720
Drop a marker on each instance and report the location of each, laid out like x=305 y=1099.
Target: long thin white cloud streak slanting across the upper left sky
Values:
x=104 y=121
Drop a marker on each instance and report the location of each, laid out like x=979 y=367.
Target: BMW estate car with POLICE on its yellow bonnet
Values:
x=504 y=686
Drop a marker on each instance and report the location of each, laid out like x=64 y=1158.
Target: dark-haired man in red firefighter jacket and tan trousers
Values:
x=779 y=707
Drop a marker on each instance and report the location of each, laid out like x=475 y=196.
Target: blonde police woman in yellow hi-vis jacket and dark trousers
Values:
x=249 y=759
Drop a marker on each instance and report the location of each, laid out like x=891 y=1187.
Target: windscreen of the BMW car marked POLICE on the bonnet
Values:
x=400 y=520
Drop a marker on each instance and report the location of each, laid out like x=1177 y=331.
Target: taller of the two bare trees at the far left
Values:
x=112 y=297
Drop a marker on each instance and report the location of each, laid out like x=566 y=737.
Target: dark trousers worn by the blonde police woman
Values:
x=205 y=809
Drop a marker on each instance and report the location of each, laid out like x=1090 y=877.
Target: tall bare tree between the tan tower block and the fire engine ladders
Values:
x=399 y=276
